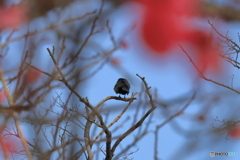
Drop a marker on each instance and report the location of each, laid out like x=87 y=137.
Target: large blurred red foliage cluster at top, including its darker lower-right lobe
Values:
x=166 y=23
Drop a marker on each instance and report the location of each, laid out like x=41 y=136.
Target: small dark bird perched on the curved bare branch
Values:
x=122 y=86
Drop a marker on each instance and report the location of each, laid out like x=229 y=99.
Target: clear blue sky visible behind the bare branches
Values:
x=174 y=77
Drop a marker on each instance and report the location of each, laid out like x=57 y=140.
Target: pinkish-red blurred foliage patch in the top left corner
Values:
x=12 y=17
